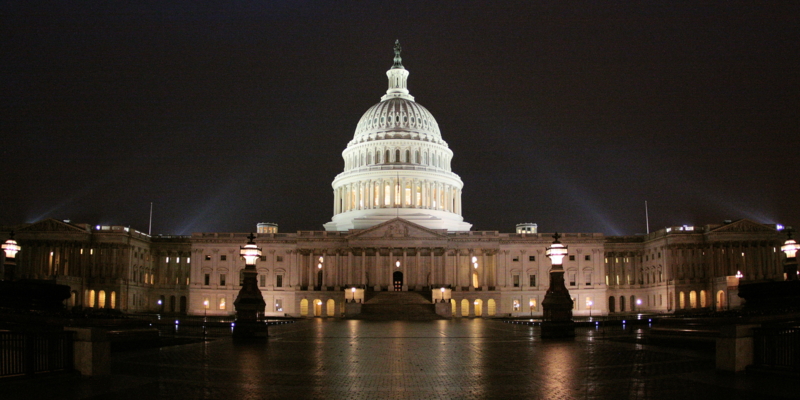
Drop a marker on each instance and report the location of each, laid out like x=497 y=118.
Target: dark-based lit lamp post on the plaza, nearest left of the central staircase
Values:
x=249 y=303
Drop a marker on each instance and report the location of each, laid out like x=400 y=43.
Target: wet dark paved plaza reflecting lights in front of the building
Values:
x=446 y=359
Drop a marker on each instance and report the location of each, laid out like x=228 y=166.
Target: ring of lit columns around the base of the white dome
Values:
x=397 y=193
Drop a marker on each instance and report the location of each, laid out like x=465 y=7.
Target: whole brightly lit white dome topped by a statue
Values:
x=397 y=166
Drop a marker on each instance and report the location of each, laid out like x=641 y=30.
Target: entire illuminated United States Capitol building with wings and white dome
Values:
x=397 y=225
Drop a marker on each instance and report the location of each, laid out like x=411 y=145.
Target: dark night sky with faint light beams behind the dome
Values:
x=570 y=115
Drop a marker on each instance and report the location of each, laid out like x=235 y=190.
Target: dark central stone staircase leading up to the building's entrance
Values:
x=398 y=306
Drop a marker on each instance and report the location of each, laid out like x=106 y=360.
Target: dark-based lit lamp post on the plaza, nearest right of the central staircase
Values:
x=557 y=303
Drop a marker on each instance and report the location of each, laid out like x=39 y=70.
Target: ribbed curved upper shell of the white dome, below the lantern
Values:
x=397 y=119
